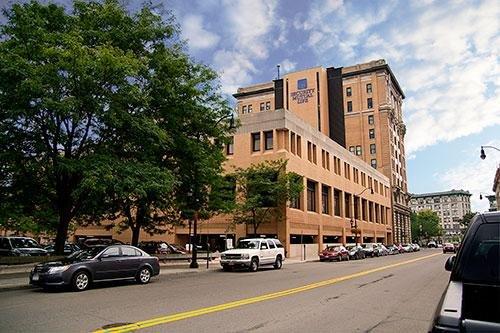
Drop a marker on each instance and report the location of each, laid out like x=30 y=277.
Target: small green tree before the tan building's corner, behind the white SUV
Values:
x=263 y=191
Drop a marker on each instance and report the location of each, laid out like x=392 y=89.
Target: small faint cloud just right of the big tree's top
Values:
x=197 y=36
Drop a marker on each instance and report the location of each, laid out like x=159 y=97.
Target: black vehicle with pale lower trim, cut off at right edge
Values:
x=470 y=302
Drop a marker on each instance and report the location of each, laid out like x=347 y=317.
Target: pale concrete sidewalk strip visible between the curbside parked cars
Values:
x=14 y=278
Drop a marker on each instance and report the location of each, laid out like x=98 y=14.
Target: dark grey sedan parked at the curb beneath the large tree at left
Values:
x=82 y=268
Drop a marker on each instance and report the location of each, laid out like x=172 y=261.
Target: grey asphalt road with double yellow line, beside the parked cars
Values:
x=388 y=294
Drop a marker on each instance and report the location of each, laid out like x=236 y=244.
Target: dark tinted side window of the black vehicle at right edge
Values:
x=483 y=262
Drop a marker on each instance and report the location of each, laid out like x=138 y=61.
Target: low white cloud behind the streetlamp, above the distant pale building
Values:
x=474 y=175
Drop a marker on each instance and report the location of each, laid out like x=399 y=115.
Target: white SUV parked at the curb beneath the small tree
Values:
x=252 y=253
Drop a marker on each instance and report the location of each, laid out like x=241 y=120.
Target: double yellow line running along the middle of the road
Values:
x=246 y=301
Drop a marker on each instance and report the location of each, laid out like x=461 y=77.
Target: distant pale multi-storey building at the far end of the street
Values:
x=451 y=206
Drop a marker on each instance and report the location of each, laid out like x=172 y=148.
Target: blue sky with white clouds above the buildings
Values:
x=445 y=55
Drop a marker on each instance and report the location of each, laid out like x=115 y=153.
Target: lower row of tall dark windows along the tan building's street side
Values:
x=344 y=204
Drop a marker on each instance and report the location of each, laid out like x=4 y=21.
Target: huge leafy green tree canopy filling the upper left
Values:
x=99 y=111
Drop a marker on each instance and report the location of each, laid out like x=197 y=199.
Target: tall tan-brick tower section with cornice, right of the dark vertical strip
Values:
x=375 y=131
